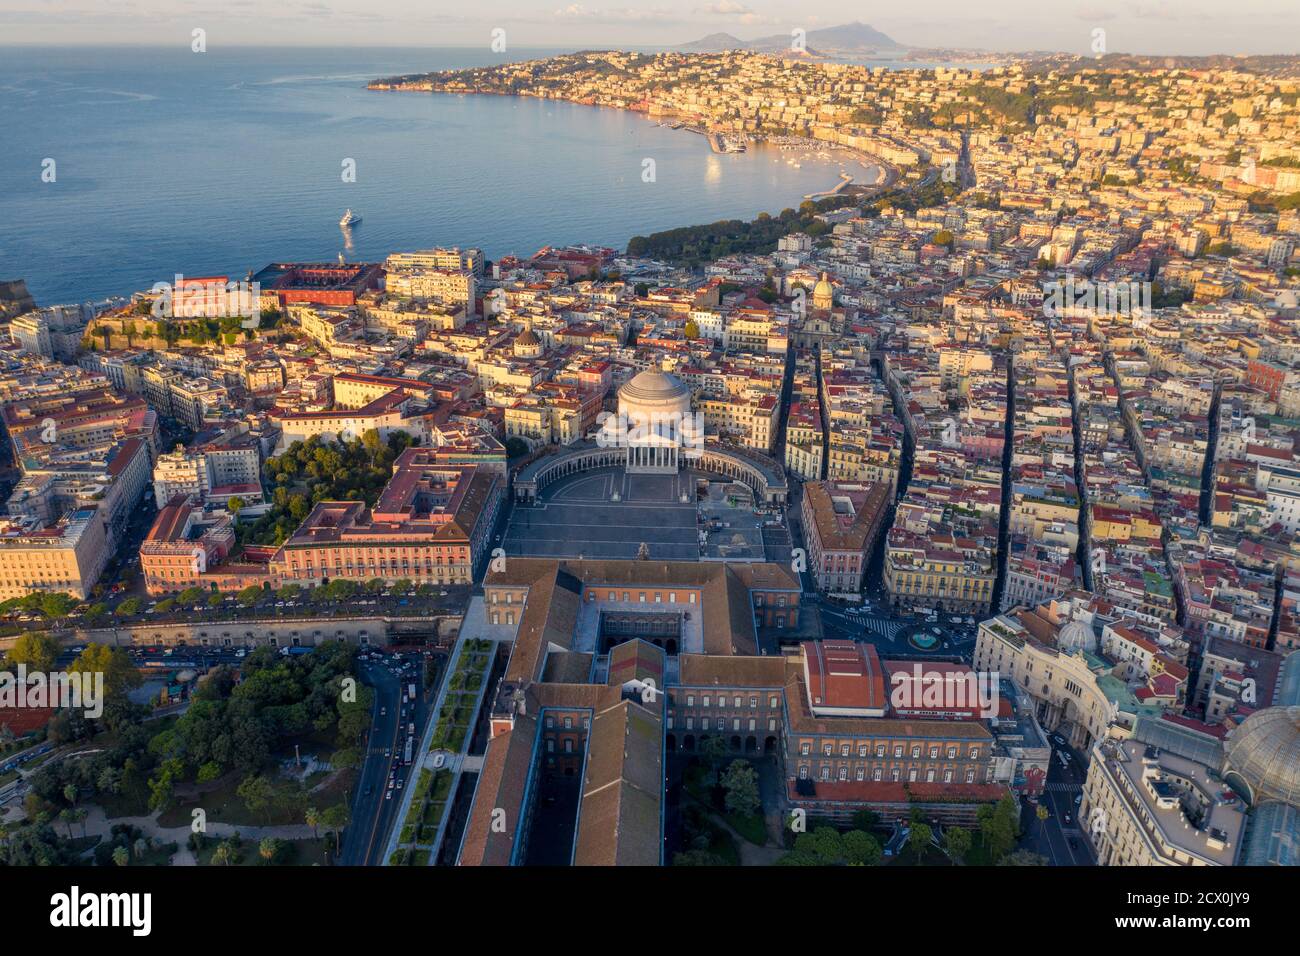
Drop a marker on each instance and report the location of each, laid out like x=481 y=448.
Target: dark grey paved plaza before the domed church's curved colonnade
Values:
x=610 y=514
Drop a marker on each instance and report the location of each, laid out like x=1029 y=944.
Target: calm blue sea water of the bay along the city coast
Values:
x=219 y=163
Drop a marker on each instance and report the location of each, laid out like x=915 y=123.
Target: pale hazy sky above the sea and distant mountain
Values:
x=1132 y=27
